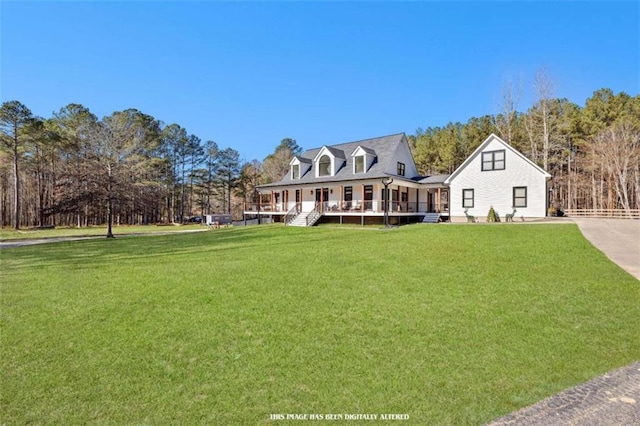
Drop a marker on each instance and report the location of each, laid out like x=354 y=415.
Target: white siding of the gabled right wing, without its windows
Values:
x=495 y=188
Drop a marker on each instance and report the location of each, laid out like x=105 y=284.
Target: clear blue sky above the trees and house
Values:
x=247 y=74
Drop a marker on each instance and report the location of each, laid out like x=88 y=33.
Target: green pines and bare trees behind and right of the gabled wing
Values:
x=592 y=152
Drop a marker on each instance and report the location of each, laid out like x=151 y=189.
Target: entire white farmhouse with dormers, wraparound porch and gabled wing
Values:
x=372 y=180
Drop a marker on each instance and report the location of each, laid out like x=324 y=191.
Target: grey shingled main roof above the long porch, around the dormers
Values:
x=384 y=148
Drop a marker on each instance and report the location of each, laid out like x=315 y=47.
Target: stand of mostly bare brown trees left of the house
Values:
x=127 y=168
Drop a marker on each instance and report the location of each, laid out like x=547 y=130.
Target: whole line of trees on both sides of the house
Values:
x=73 y=169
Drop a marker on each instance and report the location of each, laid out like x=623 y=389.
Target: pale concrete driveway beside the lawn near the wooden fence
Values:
x=618 y=239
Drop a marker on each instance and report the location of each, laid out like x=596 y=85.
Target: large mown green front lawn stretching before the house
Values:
x=450 y=324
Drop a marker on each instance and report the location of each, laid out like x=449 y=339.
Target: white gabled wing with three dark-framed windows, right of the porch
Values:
x=496 y=175
